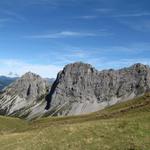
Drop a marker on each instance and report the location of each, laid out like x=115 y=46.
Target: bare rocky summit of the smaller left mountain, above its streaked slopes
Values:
x=29 y=86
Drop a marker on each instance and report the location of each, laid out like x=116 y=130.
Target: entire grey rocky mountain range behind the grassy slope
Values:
x=78 y=89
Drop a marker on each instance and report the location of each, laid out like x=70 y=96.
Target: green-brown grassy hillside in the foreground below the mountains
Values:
x=125 y=126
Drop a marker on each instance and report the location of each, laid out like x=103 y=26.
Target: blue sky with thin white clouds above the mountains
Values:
x=44 y=35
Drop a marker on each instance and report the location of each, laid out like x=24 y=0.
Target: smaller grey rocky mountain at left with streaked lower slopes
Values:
x=25 y=97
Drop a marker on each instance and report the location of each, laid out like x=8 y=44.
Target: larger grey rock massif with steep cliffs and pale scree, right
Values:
x=80 y=88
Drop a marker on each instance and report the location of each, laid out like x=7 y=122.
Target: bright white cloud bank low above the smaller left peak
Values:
x=20 y=68
